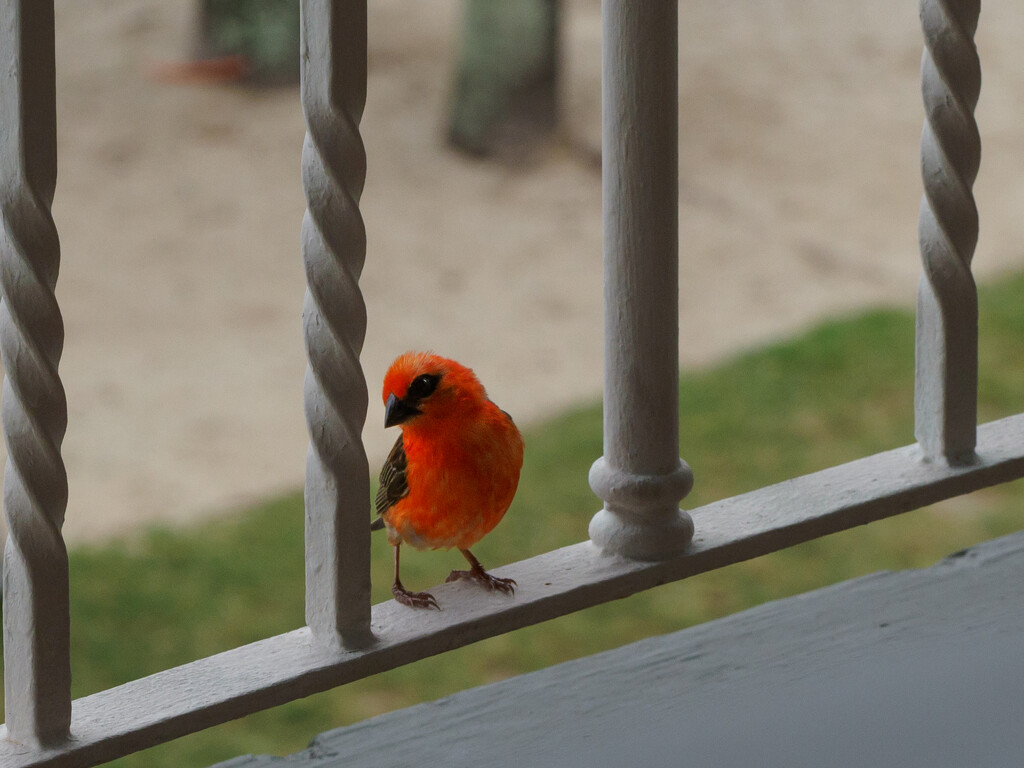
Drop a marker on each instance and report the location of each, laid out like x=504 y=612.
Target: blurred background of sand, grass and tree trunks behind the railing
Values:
x=179 y=206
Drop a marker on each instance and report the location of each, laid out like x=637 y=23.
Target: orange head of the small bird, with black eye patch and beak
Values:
x=422 y=387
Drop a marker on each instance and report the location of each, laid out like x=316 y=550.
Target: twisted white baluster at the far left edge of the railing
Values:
x=37 y=668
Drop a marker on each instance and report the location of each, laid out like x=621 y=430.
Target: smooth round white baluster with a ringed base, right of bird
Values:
x=641 y=478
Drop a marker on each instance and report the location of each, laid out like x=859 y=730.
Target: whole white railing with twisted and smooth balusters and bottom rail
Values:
x=639 y=540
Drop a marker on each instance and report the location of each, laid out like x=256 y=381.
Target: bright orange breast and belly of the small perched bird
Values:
x=462 y=480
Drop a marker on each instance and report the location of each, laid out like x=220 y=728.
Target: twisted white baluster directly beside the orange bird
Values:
x=334 y=88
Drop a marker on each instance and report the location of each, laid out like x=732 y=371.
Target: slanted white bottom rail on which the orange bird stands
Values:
x=271 y=672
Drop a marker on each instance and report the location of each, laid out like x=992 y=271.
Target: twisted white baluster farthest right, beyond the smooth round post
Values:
x=946 y=396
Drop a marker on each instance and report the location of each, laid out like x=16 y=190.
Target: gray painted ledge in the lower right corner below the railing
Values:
x=920 y=668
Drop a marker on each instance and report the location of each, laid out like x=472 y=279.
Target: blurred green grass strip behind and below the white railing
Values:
x=836 y=394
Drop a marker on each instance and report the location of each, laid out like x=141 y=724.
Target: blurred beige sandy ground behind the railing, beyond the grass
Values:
x=180 y=207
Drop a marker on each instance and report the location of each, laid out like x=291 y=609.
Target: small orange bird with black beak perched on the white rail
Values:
x=453 y=472
